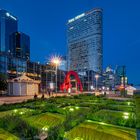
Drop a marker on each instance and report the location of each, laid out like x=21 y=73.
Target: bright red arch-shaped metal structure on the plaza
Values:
x=67 y=82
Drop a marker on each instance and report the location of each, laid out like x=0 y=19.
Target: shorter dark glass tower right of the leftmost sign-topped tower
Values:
x=20 y=53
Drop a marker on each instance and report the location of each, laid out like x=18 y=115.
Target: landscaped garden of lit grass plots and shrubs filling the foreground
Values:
x=79 y=117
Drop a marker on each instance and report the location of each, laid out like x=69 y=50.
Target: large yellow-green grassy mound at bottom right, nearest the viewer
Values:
x=98 y=131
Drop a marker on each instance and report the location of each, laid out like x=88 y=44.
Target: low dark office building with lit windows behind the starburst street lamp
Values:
x=46 y=73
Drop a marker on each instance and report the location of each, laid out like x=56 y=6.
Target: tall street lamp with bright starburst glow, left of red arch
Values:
x=56 y=61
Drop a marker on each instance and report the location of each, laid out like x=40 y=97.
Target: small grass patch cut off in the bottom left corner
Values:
x=4 y=135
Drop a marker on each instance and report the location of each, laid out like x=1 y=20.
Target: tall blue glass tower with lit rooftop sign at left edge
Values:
x=8 y=25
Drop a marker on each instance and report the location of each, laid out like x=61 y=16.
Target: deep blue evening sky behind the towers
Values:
x=45 y=22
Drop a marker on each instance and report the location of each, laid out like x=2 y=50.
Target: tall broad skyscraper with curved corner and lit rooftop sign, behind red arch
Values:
x=84 y=40
